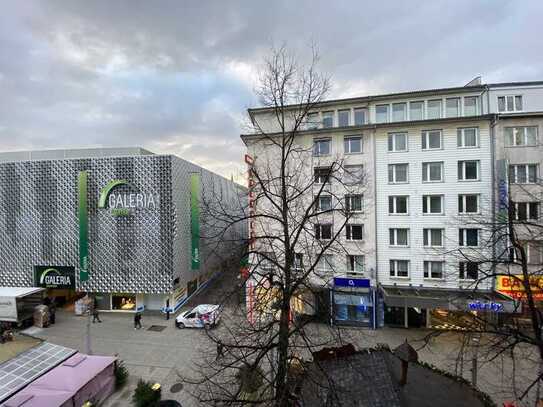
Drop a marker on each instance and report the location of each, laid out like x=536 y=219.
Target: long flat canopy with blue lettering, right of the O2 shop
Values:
x=455 y=300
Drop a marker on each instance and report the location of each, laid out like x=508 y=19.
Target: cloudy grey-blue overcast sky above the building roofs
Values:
x=177 y=76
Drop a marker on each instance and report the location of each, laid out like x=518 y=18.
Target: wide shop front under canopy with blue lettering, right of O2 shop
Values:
x=443 y=309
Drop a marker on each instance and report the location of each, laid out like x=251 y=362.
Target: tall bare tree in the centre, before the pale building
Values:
x=297 y=216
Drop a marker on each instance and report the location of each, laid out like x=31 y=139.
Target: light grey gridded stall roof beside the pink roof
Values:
x=23 y=369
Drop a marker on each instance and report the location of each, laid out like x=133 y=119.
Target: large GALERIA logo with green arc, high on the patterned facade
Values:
x=122 y=204
